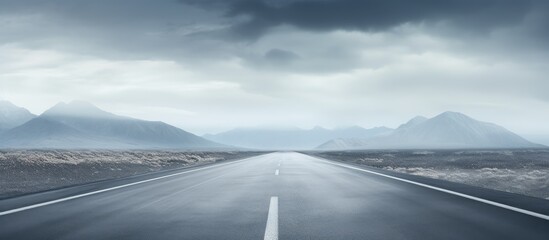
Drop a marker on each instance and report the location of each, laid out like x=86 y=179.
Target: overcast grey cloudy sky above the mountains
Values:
x=211 y=65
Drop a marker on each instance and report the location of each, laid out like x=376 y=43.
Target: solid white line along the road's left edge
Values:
x=110 y=189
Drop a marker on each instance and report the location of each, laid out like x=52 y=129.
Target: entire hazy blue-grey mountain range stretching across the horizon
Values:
x=83 y=125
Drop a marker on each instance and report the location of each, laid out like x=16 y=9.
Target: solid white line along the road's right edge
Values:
x=501 y=205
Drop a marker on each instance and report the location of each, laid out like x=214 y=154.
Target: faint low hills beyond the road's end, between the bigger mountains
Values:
x=291 y=138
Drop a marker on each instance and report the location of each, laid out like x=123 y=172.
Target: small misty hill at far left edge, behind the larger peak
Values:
x=12 y=116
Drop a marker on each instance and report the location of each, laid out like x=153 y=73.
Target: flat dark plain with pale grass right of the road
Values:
x=521 y=171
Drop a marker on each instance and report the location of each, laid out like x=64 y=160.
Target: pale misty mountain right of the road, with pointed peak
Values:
x=449 y=130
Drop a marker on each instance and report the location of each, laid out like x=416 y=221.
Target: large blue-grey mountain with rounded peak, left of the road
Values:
x=83 y=125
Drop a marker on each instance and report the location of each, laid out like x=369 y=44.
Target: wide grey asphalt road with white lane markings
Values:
x=275 y=196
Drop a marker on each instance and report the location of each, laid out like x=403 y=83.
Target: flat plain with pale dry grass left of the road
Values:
x=24 y=171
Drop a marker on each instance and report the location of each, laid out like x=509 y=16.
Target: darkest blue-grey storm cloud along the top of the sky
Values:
x=371 y=15
